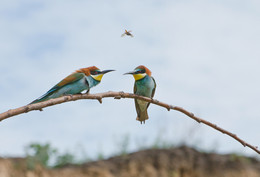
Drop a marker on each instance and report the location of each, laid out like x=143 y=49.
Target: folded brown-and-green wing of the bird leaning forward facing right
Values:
x=67 y=80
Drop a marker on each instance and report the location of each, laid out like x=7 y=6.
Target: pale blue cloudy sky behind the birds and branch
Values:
x=204 y=56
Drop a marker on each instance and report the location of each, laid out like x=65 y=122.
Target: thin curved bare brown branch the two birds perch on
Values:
x=118 y=95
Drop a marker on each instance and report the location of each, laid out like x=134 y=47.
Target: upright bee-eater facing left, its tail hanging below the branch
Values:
x=145 y=86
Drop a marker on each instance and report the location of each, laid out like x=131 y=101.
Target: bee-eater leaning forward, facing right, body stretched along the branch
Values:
x=80 y=80
